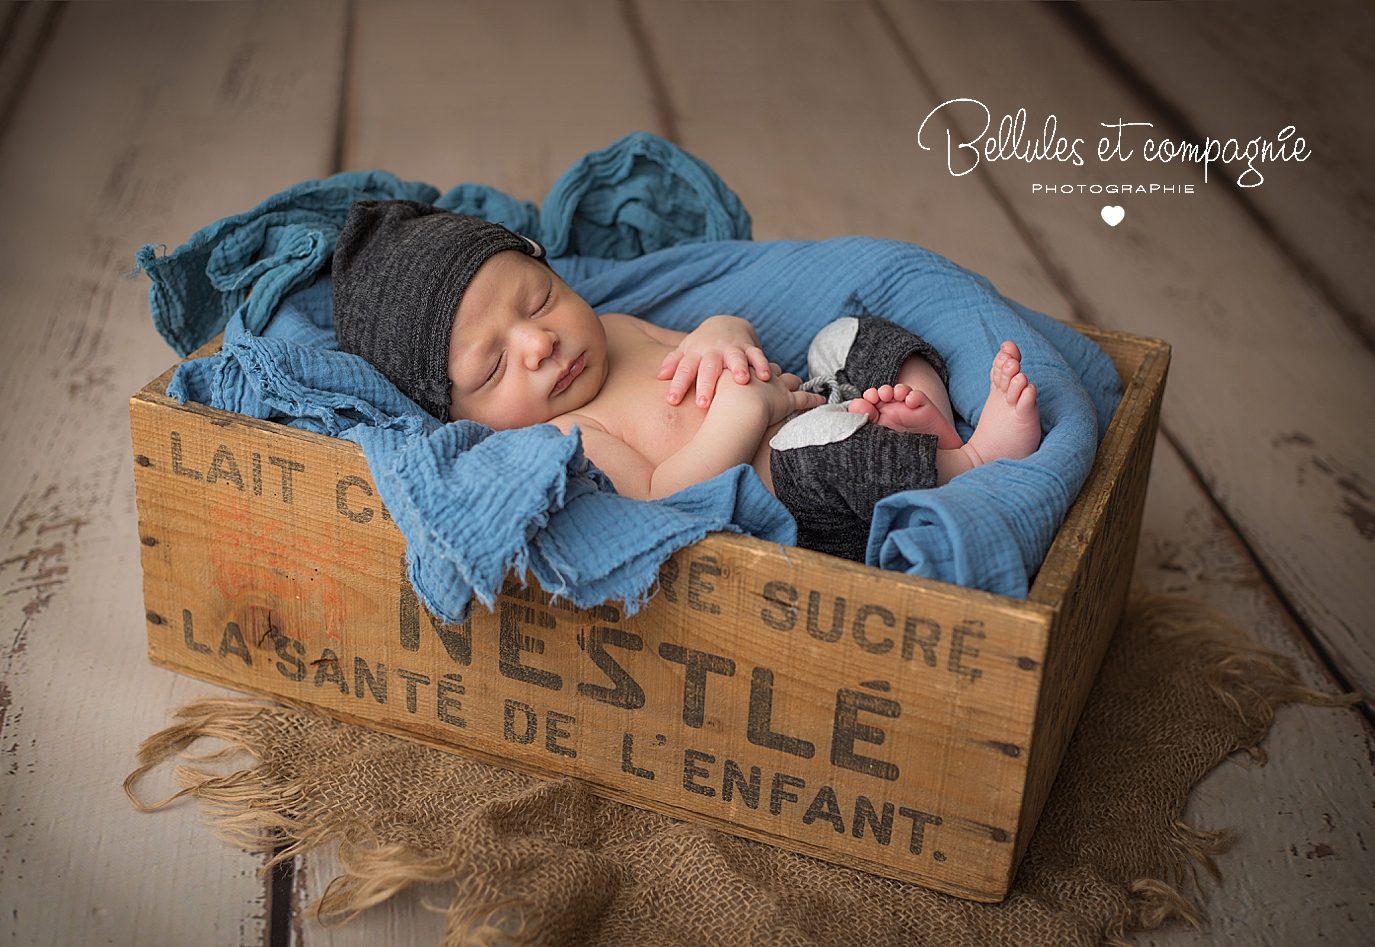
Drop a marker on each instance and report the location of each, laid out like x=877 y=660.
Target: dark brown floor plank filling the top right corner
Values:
x=1234 y=72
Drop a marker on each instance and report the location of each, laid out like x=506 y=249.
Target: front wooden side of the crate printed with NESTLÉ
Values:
x=305 y=592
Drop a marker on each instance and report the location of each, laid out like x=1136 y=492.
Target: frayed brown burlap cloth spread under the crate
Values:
x=551 y=864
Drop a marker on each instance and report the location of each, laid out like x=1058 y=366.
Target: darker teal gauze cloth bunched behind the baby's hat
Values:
x=637 y=196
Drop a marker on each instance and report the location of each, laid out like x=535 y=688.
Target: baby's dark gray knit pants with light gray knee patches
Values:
x=830 y=467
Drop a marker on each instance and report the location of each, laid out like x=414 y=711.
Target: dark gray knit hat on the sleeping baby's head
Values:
x=401 y=270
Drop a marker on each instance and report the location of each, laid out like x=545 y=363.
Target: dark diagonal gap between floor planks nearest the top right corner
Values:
x=1083 y=27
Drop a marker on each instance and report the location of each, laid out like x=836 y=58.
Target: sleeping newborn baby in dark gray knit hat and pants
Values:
x=470 y=321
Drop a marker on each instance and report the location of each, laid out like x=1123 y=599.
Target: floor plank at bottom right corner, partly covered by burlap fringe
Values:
x=1306 y=840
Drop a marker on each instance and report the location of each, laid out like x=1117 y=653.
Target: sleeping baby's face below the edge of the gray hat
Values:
x=518 y=336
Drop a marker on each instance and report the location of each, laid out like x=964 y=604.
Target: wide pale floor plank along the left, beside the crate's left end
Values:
x=141 y=123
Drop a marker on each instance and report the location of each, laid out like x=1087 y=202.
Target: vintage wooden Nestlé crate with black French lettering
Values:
x=886 y=722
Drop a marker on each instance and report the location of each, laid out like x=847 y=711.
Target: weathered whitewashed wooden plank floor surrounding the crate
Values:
x=123 y=124
